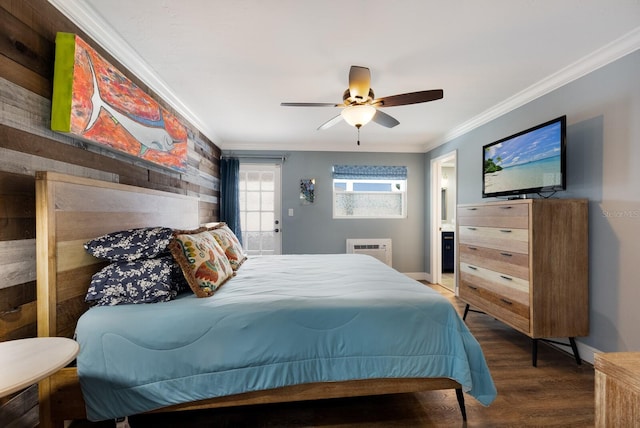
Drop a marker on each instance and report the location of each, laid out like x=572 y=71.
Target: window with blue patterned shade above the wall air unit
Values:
x=365 y=191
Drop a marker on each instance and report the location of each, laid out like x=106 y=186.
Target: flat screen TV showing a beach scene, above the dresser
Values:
x=531 y=161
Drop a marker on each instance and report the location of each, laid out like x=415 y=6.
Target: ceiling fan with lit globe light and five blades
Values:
x=360 y=105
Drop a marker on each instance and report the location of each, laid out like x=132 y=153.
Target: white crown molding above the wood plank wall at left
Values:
x=82 y=15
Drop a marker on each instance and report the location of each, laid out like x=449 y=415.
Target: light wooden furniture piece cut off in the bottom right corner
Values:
x=617 y=389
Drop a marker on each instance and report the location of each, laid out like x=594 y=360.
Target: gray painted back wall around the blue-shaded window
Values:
x=312 y=230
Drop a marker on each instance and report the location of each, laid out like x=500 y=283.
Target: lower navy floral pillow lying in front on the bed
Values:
x=139 y=281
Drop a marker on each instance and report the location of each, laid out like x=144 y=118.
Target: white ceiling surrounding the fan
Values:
x=227 y=65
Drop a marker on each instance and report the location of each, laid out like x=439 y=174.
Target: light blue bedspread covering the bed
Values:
x=283 y=320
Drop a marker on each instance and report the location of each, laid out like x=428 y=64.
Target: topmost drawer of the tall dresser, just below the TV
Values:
x=514 y=215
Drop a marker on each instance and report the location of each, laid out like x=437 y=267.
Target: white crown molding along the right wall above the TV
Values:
x=607 y=54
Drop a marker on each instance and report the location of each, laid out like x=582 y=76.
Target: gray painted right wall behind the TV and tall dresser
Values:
x=603 y=158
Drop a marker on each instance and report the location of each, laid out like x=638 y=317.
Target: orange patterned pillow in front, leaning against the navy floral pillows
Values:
x=202 y=261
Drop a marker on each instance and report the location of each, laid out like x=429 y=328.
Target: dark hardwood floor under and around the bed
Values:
x=557 y=393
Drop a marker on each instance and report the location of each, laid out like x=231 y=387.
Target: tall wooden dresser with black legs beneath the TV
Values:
x=525 y=262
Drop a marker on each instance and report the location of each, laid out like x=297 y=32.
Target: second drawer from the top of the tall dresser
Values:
x=497 y=238
